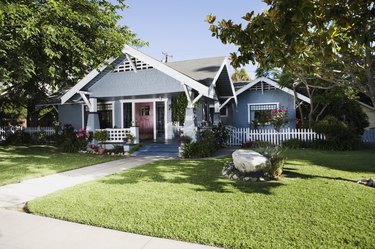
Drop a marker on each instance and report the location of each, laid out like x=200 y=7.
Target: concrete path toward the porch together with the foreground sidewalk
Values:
x=25 y=231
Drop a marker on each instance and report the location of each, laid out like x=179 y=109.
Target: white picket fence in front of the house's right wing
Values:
x=238 y=136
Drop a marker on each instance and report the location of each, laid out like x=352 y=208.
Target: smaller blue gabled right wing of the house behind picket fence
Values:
x=257 y=99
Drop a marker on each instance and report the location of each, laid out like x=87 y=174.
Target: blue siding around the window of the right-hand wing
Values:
x=240 y=112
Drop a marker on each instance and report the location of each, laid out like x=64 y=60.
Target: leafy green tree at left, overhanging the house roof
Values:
x=49 y=44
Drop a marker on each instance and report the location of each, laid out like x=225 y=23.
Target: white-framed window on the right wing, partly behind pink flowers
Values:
x=261 y=113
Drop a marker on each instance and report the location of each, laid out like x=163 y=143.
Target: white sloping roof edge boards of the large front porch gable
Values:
x=127 y=50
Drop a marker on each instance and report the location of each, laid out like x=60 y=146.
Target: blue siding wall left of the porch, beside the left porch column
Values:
x=71 y=114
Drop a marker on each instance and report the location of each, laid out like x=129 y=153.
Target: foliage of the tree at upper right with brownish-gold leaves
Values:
x=322 y=44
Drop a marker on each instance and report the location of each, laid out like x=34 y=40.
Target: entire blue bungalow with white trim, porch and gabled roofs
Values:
x=135 y=94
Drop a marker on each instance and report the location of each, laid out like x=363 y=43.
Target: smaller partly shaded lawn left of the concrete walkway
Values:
x=18 y=163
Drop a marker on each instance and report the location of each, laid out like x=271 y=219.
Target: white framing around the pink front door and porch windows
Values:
x=150 y=100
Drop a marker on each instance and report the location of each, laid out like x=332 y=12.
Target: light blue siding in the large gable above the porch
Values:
x=140 y=83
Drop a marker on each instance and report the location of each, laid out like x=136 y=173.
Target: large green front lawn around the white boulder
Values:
x=317 y=203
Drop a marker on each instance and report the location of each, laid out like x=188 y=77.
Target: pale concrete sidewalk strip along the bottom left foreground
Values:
x=25 y=231
